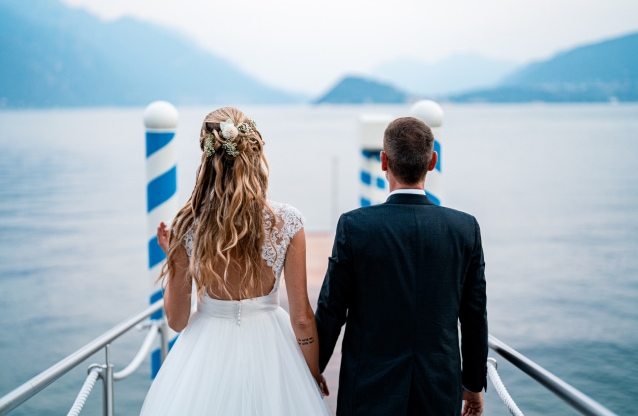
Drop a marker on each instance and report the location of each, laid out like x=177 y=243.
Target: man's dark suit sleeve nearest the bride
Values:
x=335 y=295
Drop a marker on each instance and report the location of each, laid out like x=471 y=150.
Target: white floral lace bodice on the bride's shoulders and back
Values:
x=288 y=221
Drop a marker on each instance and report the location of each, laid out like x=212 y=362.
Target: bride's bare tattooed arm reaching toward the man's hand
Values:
x=302 y=317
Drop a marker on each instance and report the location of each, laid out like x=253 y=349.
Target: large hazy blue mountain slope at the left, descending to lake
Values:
x=56 y=56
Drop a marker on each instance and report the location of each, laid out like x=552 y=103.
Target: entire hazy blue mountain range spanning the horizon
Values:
x=54 y=56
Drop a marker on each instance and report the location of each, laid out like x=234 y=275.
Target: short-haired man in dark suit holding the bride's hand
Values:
x=401 y=276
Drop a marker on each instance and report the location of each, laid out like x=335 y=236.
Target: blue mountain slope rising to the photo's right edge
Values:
x=600 y=72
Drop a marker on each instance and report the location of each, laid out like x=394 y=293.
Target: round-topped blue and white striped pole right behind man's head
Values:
x=431 y=114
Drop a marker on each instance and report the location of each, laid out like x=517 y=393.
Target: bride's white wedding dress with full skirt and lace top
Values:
x=240 y=358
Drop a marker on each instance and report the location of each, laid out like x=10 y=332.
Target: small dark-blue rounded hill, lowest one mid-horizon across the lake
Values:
x=357 y=90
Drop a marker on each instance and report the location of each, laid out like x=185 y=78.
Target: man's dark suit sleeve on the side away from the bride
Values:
x=473 y=318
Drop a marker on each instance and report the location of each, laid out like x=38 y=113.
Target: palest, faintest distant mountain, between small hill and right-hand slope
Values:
x=454 y=74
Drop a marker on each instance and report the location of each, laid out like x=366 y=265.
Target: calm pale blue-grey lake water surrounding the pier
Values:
x=554 y=188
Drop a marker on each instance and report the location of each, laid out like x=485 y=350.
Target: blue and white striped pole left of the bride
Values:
x=160 y=120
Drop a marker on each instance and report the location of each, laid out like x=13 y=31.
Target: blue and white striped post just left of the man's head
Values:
x=373 y=184
